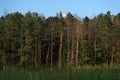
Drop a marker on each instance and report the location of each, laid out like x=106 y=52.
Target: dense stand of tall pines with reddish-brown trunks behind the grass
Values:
x=31 y=40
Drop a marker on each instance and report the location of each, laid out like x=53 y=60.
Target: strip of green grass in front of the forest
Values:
x=83 y=73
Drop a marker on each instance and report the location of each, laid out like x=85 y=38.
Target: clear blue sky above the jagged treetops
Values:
x=51 y=7
